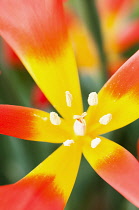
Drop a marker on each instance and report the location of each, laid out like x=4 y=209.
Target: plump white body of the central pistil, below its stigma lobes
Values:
x=79 y=127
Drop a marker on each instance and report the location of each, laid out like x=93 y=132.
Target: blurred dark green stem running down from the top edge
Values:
x=88 y=11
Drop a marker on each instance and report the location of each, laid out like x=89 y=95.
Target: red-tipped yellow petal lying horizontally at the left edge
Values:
x=31 y=124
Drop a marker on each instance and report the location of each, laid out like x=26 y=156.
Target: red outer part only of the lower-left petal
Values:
x=31 y=194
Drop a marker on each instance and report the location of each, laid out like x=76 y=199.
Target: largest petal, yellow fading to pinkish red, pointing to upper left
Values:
x=38 y=34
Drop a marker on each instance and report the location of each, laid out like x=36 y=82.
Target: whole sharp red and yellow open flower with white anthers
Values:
x=38 y=34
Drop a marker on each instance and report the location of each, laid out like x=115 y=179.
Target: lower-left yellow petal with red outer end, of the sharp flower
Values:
x=48 y=186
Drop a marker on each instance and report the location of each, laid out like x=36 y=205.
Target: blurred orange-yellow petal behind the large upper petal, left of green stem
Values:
x=84 y=47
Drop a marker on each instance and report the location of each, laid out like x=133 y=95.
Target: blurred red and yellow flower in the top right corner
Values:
x=116 y=24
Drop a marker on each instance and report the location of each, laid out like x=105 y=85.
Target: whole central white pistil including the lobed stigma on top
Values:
x=79 y=126
